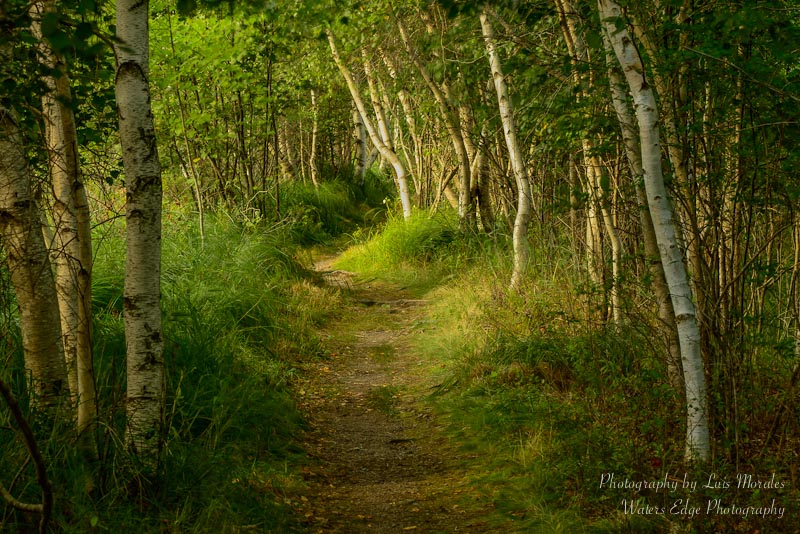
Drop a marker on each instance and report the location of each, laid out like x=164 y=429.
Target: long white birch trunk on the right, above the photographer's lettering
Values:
x=698 y=447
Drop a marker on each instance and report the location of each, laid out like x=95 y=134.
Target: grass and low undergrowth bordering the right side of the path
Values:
x=552 y=401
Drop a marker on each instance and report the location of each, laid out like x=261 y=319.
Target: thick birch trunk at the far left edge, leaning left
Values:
x=31 y=274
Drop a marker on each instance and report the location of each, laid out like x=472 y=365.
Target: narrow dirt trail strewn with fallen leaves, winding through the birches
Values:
x=382 y=462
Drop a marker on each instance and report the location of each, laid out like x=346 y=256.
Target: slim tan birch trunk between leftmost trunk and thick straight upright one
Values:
x=73 y=238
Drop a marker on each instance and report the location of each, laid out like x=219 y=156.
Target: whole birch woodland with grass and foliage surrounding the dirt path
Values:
x=602 y=196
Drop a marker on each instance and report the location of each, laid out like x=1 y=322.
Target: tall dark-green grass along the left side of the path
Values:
x=238 y=313
